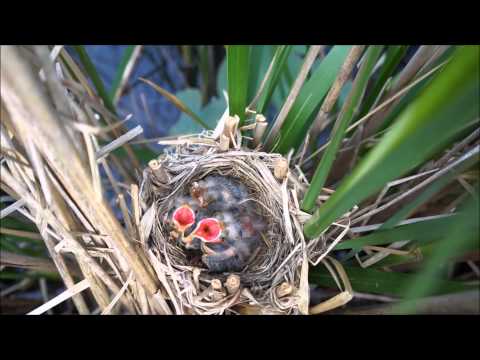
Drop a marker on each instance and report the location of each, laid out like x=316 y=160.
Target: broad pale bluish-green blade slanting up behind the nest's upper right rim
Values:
x=311 y=95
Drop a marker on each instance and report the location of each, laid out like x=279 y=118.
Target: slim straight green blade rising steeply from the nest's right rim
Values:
x=341 y=125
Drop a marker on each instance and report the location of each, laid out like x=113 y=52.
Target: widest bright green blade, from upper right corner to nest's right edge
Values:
x=424 y=128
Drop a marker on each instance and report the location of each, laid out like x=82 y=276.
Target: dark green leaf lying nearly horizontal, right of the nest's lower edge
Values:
x=379 y=282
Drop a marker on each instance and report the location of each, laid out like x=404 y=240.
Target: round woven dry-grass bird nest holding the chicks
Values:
x=276 y=279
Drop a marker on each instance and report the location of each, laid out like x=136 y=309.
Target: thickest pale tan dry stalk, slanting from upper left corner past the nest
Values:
x=23 y=97
